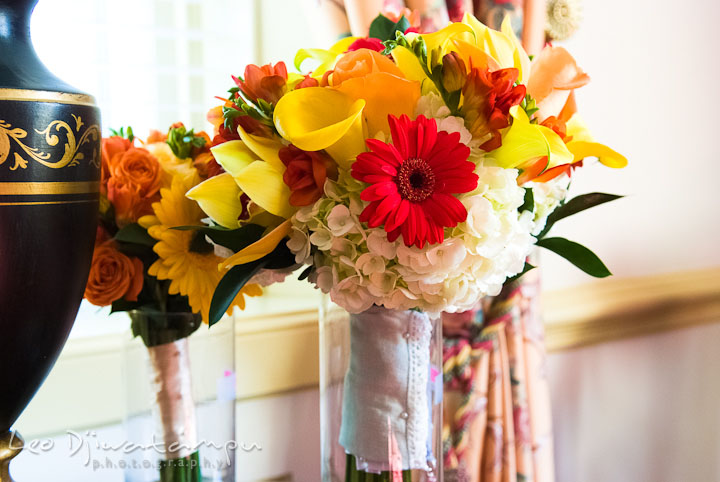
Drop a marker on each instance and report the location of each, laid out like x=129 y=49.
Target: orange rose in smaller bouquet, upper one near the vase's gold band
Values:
x=134 y=184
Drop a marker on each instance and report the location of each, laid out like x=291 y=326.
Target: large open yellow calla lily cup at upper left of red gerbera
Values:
x=317 y=118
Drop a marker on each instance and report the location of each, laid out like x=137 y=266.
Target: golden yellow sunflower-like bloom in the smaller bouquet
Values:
x=185 y=257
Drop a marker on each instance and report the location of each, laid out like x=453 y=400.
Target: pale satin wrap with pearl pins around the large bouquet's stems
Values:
x=386 y=390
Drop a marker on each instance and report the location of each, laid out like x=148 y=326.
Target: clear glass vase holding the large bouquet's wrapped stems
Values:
x=380 y=395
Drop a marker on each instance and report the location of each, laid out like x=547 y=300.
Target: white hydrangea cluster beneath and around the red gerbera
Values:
x=360 y=268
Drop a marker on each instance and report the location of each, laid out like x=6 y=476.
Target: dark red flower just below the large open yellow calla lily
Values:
x=306 y=174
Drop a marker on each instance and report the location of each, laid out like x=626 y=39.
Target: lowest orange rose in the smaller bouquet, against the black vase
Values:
x=113 y=276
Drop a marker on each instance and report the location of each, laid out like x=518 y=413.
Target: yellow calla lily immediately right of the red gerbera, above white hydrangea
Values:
x=523 y=142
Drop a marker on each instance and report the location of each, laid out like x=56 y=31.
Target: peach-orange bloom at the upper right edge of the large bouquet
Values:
x=554 y=76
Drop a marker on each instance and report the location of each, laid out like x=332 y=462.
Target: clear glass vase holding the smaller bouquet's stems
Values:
x=180 y=399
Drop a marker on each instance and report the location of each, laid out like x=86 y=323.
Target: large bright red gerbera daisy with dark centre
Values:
x=412 y=181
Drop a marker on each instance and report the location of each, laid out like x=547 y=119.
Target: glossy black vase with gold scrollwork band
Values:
x=49 y=190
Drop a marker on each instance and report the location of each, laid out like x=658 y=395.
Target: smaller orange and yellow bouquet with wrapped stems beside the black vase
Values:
x=161 y=276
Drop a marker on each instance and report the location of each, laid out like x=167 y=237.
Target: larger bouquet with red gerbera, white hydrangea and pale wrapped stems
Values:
x=406 y=175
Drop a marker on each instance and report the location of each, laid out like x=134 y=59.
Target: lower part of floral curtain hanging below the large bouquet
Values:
x=497 y=424
